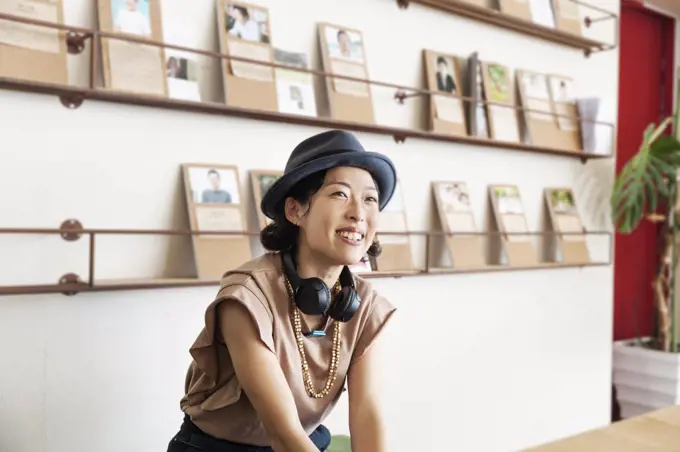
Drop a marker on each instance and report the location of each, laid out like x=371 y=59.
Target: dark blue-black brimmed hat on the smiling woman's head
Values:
x=329 y=150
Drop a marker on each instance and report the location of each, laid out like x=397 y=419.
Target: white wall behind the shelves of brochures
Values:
x=480 y=362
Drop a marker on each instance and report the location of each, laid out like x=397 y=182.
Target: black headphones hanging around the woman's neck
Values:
x=313 y=296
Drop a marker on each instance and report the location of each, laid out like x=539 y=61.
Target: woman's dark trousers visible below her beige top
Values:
x=321 y=437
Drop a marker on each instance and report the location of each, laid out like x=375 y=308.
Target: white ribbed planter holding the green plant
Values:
x=646 y=380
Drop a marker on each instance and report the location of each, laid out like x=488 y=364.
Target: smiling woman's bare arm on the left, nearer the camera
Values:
x=259 y=373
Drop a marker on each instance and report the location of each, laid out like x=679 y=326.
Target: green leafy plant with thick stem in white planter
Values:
x=647 y=182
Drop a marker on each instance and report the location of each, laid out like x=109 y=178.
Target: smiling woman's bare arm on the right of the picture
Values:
x=367 y=430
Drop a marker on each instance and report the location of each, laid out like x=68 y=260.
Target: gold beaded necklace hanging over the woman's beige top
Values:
x=299 y=338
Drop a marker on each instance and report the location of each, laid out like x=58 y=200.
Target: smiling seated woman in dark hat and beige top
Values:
x=288 y=329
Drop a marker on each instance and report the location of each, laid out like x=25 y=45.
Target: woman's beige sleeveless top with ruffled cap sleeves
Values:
x=214 y=399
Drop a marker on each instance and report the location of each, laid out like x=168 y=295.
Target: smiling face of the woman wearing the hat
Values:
x=341 y=219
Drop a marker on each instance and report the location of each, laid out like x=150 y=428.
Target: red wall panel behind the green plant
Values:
x=646 y=49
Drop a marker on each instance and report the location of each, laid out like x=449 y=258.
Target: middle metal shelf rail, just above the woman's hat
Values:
x=73 y=96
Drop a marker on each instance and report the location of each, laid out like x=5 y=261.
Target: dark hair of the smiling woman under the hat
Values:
x=281 y=234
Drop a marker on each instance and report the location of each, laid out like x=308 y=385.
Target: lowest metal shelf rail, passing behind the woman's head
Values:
x=72 y=230
